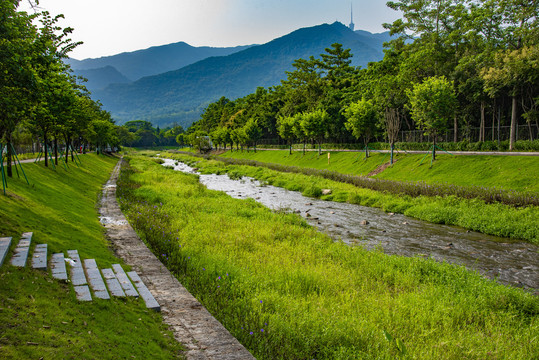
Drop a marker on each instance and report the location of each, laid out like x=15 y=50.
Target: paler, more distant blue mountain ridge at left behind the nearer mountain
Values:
x=154 y=60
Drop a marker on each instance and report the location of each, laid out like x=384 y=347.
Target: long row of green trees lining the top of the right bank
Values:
x=452 y=64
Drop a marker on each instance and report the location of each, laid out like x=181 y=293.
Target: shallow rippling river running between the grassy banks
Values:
x=511 y=262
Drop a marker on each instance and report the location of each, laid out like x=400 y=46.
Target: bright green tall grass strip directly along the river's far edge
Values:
x=474 y=214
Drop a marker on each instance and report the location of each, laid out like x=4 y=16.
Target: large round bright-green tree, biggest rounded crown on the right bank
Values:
x=432 y=105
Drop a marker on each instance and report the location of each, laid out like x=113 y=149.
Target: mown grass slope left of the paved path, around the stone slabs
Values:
x=40 y=317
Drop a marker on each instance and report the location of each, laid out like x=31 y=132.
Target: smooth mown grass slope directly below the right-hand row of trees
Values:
x=518 y=173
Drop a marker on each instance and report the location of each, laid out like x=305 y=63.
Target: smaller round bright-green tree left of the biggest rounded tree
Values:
x=362 y=120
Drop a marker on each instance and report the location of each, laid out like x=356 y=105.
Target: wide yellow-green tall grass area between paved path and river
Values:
x=287 y=291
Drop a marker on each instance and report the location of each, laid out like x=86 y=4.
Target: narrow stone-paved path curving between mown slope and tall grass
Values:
x=193 y=326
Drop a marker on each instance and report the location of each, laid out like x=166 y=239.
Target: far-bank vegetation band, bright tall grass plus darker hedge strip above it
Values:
x=473 y=213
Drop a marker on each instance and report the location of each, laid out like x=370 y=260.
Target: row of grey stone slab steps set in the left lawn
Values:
x=85 y=277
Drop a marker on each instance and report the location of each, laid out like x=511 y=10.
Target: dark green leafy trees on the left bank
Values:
x=38 y=93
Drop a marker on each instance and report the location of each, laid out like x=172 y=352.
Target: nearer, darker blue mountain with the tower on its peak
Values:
x=180 y=96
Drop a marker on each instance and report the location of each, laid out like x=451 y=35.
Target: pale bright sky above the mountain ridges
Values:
x=109 y=27
